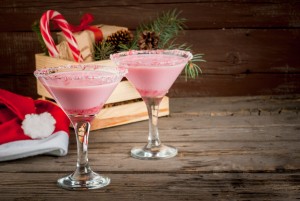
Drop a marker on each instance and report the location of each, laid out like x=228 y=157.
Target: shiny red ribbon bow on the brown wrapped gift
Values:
x=85 y=25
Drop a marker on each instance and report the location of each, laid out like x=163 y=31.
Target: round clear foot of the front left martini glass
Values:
x=87 y=181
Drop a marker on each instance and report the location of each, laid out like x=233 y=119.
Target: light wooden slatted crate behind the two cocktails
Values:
x=123 y=106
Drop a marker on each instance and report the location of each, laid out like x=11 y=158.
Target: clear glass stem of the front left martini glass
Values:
x=82 y=130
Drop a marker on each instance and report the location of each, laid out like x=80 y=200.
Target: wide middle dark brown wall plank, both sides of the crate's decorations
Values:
x=230 y=52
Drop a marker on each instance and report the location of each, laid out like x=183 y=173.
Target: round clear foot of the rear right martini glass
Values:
x=155 y=153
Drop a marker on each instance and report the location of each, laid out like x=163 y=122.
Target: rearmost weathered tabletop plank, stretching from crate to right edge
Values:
x=236 y=106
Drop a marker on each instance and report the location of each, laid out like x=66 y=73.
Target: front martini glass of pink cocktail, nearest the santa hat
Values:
x=81 y=91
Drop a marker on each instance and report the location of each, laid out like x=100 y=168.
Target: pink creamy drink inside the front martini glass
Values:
x=80 y=96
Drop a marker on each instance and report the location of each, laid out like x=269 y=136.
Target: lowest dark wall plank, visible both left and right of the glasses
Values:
x=204 y=85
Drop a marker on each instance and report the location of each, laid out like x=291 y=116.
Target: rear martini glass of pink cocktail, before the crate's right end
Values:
x=152 y=72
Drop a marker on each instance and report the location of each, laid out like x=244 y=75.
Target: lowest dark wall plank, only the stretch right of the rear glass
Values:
x=236 y=85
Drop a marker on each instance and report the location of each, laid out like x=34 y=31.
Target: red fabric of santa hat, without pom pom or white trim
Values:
x=14 y=107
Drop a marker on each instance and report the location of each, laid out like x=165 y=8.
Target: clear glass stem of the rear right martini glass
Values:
x=153 y=109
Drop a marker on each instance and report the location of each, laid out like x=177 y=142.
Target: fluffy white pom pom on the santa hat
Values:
x=38 y=125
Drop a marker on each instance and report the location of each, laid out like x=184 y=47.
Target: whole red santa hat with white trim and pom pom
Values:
x=30 y=127
